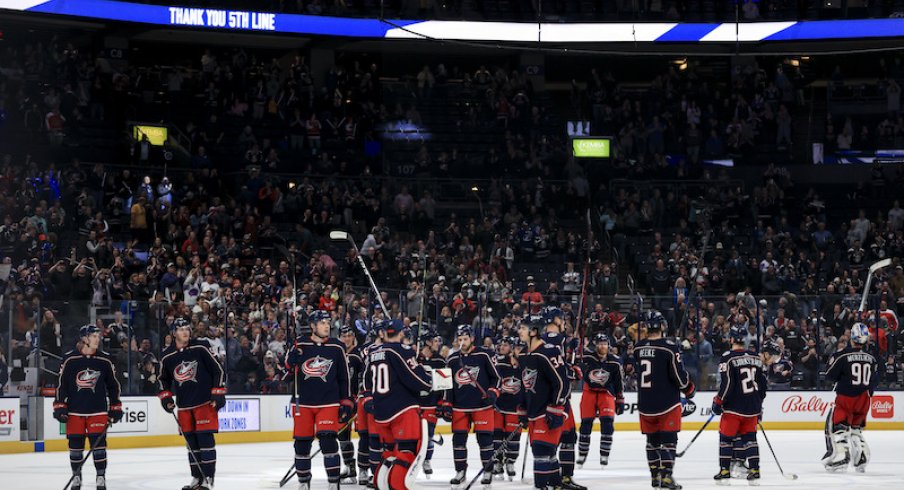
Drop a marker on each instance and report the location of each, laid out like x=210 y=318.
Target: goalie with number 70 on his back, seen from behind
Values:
x=398 y=384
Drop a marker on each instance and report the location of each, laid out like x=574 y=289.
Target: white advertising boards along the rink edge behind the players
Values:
x=267 y=418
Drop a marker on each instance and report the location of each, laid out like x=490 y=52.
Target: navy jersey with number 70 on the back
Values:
x=397 y=381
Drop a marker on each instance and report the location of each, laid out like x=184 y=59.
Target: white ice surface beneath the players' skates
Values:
x=254 y=466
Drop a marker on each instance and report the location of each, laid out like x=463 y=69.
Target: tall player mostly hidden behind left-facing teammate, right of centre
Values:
x=554 y=334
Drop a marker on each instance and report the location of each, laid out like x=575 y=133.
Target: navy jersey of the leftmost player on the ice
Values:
x=87 y=383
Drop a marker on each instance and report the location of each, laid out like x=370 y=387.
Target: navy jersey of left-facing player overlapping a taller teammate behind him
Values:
x=544 y=380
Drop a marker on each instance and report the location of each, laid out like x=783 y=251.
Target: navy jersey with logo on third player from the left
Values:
x=321 y=370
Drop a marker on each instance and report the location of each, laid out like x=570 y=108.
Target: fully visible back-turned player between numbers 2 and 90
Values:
x=740 y=404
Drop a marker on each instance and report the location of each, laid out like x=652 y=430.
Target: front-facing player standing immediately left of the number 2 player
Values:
x=603 y=397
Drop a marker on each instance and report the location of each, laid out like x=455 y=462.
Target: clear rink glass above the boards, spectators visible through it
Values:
x=36 y=333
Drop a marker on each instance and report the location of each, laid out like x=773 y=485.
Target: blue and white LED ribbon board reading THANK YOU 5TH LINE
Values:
x=513 y=32
